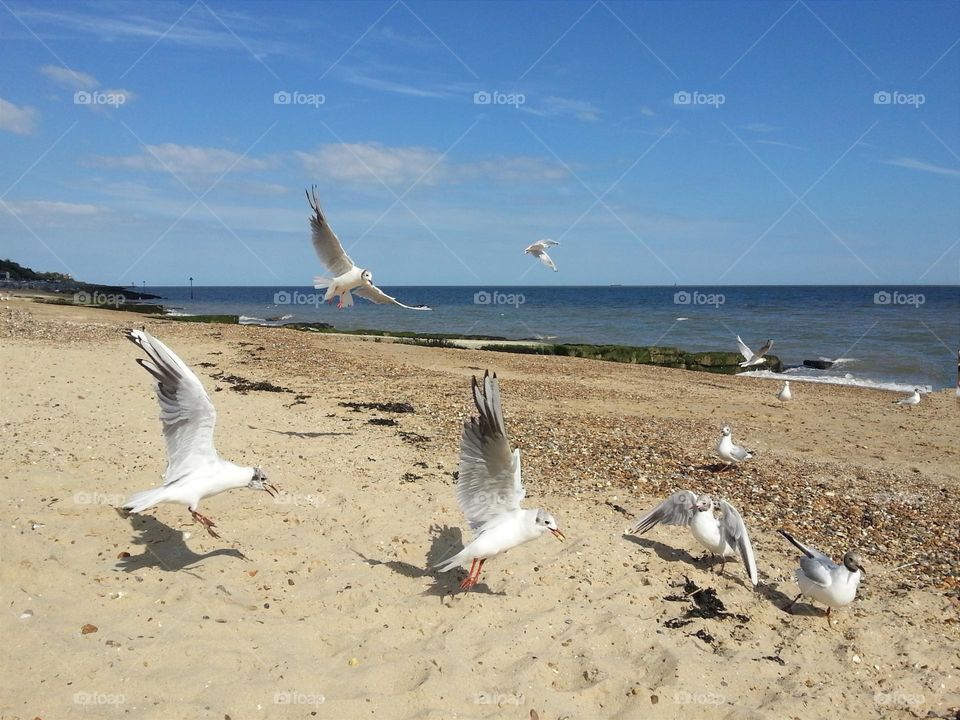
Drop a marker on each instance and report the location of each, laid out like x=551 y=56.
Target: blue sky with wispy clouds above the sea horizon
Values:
x=661 y=143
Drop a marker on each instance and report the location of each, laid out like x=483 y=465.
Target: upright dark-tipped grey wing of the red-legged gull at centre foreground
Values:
x=489 y=481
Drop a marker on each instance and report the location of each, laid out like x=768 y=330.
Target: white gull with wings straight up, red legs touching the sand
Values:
x=489 y=489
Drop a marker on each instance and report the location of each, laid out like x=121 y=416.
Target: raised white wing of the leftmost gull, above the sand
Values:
x=187 y=415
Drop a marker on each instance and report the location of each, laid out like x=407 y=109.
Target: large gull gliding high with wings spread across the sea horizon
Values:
x=347 y=277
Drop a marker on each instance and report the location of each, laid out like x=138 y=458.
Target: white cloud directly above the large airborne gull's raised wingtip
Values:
x=373 y=163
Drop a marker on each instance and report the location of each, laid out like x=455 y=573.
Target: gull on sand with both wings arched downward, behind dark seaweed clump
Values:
x=725 y=536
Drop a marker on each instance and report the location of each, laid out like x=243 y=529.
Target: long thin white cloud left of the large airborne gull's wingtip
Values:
x=188 y=160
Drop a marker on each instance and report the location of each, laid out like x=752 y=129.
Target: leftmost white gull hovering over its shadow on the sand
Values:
x=194 y=470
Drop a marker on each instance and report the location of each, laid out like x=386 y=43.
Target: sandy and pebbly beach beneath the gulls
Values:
x=321 y=602
